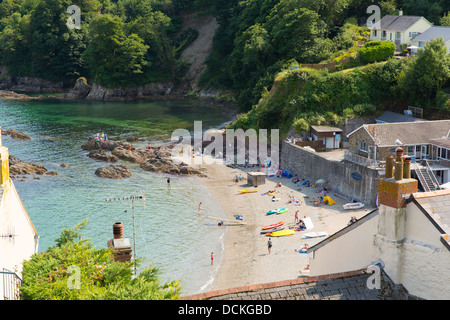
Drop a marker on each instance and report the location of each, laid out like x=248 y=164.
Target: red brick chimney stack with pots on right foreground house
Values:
x=397 y=181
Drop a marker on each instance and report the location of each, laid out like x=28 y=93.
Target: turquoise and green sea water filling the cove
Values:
x=169 y=232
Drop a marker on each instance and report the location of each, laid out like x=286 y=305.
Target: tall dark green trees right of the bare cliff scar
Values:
x=259 y=38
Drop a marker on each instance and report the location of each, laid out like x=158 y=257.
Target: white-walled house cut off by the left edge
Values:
x=18 y=237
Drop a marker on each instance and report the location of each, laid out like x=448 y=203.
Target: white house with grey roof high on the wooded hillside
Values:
x=399 y=29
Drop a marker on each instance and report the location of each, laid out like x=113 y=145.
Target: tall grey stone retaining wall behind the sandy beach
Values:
x=312 y=166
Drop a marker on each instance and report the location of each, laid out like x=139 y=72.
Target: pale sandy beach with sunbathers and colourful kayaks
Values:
x=246 y=259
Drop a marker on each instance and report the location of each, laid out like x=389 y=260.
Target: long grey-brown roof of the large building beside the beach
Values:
x=409 y=133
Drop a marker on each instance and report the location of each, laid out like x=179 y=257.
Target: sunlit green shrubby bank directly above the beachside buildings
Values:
x=304 y=97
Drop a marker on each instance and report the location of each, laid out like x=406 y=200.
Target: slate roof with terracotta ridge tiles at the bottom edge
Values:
x=350 y=285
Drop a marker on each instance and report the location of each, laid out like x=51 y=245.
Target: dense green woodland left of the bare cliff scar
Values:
x=120 y=42
